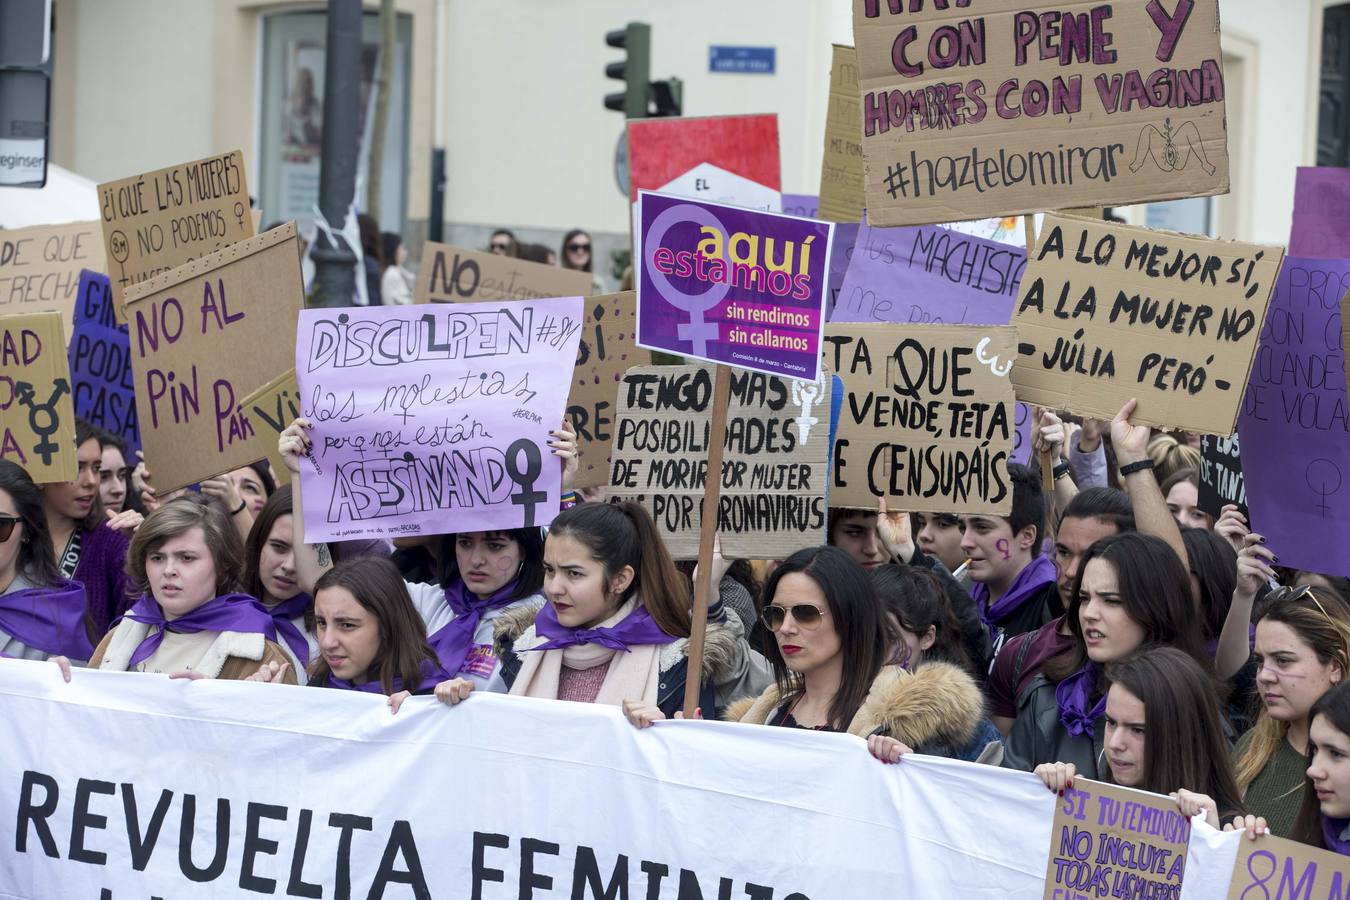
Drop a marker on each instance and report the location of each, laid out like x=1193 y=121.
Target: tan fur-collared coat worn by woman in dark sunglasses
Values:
x=938 y=709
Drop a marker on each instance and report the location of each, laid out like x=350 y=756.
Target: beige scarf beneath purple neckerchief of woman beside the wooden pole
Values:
x=632 y=677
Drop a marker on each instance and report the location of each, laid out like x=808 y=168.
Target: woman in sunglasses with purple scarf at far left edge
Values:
x=43 y=615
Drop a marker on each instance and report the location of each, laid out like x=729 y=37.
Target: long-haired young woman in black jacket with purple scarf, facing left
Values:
x=1132 y=593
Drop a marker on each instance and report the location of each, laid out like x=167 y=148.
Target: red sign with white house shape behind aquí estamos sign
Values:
x=734 y=156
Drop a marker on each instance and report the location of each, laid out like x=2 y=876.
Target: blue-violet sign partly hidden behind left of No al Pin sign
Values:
x=101 y=364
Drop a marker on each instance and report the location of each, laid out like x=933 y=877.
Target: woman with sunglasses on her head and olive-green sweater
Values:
x=1302 y=650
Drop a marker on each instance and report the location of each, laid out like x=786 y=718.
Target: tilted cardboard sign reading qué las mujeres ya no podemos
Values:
x=163 y=219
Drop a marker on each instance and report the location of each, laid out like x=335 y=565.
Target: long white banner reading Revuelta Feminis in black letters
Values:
x=130 y=787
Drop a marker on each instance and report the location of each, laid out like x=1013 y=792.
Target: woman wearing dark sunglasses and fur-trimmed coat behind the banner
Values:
x=830 y=656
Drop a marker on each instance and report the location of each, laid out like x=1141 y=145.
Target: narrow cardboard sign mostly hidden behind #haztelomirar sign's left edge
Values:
x=842 y=167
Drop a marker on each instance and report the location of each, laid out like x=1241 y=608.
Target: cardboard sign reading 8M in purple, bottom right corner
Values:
x=1272 y=867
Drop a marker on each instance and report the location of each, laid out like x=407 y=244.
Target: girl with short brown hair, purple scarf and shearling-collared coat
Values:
x=184 y=562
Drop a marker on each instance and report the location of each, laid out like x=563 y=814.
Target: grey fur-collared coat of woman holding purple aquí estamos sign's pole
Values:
x=732 y=670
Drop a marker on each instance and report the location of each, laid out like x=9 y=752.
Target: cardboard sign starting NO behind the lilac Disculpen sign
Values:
x=453 y=275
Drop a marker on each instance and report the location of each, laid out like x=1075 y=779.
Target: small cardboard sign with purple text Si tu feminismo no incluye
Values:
x=1118 y=843
